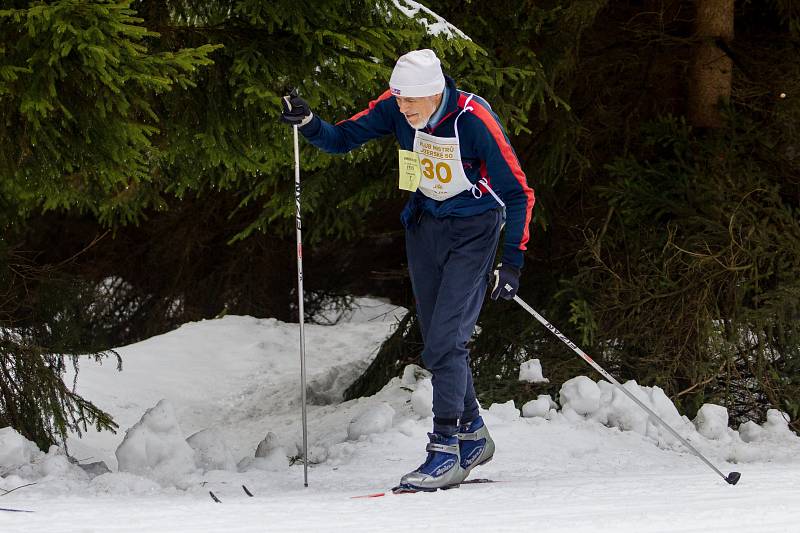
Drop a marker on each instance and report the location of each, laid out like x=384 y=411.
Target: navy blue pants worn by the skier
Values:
x=449 y=260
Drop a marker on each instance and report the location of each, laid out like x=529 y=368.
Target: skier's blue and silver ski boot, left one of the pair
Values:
x=441 y=470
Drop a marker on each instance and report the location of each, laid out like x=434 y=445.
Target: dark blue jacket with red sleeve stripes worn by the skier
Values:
x=485 y=152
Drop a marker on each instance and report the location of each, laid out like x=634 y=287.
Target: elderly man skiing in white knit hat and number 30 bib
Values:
x=467 y=184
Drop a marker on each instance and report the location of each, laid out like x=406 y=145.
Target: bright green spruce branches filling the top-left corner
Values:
x=78 y=84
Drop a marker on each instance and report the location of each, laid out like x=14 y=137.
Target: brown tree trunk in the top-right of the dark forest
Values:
x=711 y=68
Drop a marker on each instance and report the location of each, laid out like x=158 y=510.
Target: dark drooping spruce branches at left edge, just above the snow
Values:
x=44 y=318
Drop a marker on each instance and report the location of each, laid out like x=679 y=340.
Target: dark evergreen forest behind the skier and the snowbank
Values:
x=146 y=181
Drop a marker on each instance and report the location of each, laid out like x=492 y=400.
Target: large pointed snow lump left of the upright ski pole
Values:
x=155 y=448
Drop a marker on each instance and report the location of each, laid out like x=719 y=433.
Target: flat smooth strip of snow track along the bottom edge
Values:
x=684 y=501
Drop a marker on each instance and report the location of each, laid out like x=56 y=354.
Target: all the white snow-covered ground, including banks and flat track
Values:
x=589 y=460
